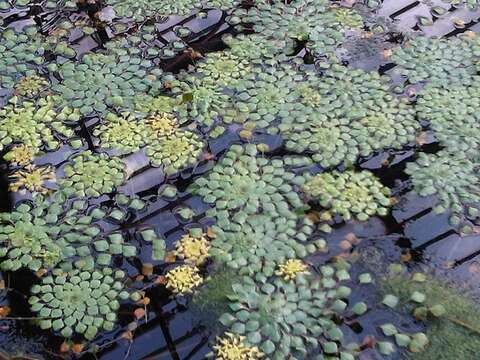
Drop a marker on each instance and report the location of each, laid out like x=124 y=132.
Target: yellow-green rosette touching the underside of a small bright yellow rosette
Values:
x=176 y=151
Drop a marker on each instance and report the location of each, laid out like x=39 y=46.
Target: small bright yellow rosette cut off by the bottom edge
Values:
x=232 y=347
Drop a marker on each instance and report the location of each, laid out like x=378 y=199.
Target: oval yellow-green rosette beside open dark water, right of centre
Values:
x=350 y=194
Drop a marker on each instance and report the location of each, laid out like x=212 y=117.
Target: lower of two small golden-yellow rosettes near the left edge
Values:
x=32 y=179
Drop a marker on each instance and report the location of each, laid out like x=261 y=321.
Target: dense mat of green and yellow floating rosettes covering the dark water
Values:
x=67 y=223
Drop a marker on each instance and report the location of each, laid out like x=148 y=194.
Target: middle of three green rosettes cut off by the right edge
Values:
x=453 y=113
